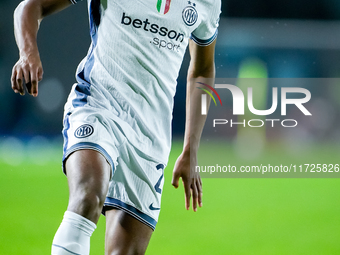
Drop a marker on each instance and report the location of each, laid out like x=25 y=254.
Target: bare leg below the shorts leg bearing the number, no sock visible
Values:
x=125 y=234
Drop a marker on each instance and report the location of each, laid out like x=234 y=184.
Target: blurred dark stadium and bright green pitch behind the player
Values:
x=286 y=38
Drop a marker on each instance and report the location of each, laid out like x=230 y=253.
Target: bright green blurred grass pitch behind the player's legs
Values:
x=239 y=216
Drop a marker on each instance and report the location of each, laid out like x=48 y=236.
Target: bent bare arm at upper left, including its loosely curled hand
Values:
x=27 y=17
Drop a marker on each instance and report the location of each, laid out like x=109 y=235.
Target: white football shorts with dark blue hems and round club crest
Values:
x=137 y=180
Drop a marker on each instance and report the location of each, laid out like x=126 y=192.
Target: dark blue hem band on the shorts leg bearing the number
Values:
x=142 y=217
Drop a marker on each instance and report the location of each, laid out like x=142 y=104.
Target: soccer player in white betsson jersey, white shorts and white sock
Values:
x=117 y=119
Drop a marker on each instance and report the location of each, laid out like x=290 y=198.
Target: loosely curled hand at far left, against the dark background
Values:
x=27 y=72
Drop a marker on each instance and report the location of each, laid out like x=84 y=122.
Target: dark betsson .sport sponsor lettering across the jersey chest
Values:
x=168 y=39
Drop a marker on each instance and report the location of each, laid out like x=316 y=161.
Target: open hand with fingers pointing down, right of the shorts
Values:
x=185 y=169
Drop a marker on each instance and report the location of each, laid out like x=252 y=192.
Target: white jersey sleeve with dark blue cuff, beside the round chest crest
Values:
x=207 y=31
